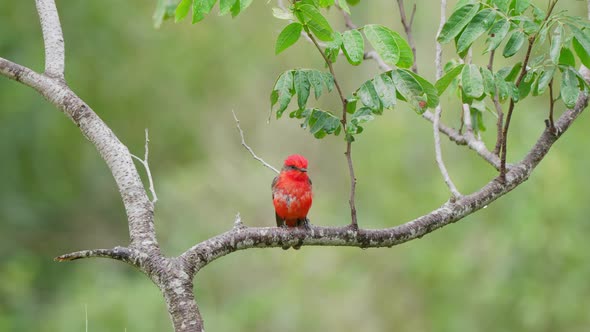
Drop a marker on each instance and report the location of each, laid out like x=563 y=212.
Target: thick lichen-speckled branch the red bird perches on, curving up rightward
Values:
x=266 y=237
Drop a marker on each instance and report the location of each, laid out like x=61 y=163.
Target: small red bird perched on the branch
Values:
x=291 y=193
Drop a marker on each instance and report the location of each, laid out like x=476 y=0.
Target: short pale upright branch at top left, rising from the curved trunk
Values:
x=53 y=38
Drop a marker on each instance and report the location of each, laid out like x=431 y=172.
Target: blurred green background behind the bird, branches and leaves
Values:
x=522 y=264
